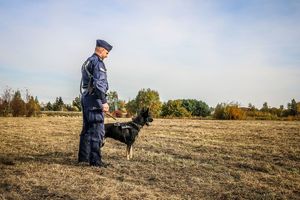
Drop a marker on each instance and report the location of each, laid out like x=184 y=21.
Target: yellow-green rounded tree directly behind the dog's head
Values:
x=148 y=98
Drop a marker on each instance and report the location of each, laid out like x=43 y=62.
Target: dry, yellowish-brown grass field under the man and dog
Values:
x=173 y=159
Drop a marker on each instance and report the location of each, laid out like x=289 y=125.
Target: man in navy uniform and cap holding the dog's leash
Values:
x=94 y=104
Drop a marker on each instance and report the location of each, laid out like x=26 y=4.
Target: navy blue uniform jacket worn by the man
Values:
x=97 y=69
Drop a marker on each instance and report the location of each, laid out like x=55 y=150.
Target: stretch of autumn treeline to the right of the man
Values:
x=188 y=108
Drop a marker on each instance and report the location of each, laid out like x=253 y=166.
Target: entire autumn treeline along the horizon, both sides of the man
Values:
x=12 y=104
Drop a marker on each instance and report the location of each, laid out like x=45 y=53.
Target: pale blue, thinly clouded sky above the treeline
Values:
x=215 y=51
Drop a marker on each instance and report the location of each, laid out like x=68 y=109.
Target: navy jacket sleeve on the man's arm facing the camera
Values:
x=100 y=82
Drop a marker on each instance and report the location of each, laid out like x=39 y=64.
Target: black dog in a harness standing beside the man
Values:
x=127 y=132
